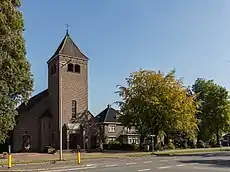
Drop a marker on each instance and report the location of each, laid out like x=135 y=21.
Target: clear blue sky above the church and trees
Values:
x=121 y=36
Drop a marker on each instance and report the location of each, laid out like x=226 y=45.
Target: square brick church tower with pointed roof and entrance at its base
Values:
x=68 y=90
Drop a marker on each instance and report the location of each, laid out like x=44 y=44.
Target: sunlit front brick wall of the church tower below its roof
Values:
x=74 y=87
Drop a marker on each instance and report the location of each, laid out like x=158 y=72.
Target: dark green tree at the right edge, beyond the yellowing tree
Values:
x=214 y=110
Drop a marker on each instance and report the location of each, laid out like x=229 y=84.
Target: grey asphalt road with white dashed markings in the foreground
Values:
x=218 y=162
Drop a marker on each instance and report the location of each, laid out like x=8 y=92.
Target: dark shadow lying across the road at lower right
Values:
x=214 y=162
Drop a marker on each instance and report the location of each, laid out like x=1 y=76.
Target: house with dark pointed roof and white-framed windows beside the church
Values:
x=112 y=130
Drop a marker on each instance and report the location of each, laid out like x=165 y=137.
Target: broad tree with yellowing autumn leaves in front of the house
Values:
x=156 y=103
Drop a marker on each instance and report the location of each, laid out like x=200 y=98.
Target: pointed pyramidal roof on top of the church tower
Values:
x=69 y=48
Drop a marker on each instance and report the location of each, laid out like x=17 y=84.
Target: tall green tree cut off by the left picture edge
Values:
x=16 y=83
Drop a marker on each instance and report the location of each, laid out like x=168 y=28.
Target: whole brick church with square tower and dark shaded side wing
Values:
x=64 y=104
